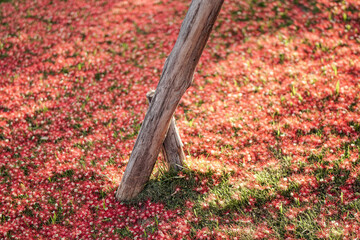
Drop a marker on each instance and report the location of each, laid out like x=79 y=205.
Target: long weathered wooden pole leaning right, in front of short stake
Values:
x=175 y=79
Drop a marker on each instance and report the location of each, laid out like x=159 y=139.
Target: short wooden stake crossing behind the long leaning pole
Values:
x=172 y=146
